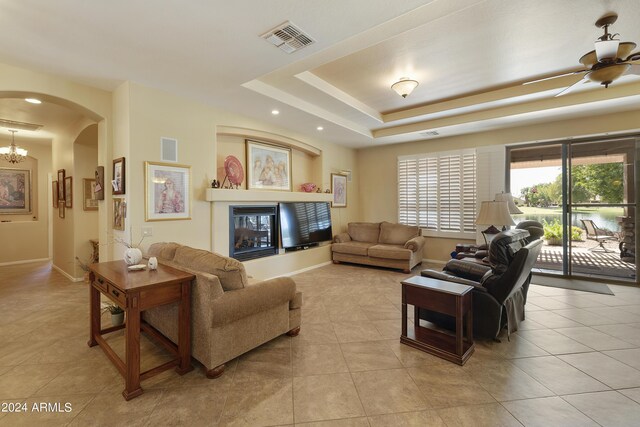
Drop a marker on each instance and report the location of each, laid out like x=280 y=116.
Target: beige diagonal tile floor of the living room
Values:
x=575 y=361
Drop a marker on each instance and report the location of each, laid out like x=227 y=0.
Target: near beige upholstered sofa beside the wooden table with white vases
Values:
x=229 y=316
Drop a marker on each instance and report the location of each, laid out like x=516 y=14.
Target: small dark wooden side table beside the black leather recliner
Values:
x=444 y=297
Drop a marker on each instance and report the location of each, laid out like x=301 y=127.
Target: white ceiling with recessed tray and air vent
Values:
x=470 y=57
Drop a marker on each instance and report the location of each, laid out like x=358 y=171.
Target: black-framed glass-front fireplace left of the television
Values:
x=252 y=232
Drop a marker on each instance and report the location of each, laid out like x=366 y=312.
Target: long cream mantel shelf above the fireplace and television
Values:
x=226 y=195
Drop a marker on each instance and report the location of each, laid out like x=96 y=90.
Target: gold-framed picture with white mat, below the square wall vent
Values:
x=167 y=191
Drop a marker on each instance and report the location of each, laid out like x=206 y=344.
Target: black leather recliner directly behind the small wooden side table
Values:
x=500 y=289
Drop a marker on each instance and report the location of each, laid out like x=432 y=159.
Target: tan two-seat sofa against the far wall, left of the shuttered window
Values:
x=381 y=244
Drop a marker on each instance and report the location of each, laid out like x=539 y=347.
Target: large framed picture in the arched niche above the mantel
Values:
x=268 y=166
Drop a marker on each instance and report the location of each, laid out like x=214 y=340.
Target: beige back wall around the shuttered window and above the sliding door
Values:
x=377 y=166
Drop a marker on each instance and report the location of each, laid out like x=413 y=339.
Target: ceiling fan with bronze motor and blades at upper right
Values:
x=610 y=59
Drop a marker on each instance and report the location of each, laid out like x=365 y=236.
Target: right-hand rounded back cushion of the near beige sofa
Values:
x=230 y=271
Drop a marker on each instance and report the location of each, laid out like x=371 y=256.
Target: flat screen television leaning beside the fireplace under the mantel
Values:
x=304 y=224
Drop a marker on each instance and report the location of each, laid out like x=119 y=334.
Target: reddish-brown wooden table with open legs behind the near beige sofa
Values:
x=136 y=291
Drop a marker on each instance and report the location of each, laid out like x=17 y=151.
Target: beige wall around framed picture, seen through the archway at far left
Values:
x=26 y=236
